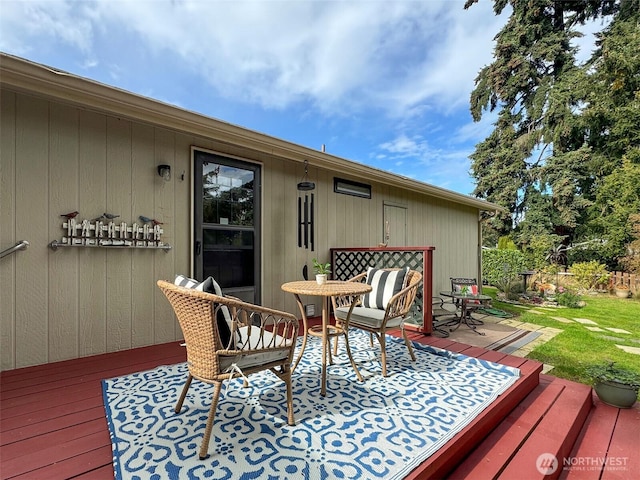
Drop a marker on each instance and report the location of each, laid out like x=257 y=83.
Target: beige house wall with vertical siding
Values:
x=74 y=302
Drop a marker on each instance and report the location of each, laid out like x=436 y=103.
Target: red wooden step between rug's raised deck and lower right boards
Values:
x=548 y=421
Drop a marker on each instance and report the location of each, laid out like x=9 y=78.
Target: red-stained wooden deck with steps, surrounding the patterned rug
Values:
x=52 y=422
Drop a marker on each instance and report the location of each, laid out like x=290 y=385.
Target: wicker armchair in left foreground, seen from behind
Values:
x=261 y=338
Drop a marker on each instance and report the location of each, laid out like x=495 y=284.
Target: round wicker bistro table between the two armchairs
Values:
x=332 y=288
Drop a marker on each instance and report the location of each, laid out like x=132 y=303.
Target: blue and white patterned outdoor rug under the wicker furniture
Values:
x=382 y=428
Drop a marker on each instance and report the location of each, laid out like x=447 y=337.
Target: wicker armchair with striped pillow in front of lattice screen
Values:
x=377 y=321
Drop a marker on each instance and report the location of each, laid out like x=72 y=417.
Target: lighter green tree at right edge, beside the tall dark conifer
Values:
x=612 y=117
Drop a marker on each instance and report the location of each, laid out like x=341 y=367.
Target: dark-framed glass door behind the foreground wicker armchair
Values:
x=227 y=223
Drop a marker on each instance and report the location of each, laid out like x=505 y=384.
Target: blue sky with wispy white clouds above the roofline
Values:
x=381 y=82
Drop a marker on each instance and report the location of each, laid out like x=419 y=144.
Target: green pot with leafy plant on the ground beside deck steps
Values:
x=615 y=386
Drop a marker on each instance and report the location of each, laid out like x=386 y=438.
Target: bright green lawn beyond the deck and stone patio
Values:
x=571 y=351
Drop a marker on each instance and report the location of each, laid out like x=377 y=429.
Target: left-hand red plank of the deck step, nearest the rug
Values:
x=489 y=458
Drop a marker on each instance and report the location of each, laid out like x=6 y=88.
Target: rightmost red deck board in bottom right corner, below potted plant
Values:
x=626 y=438
